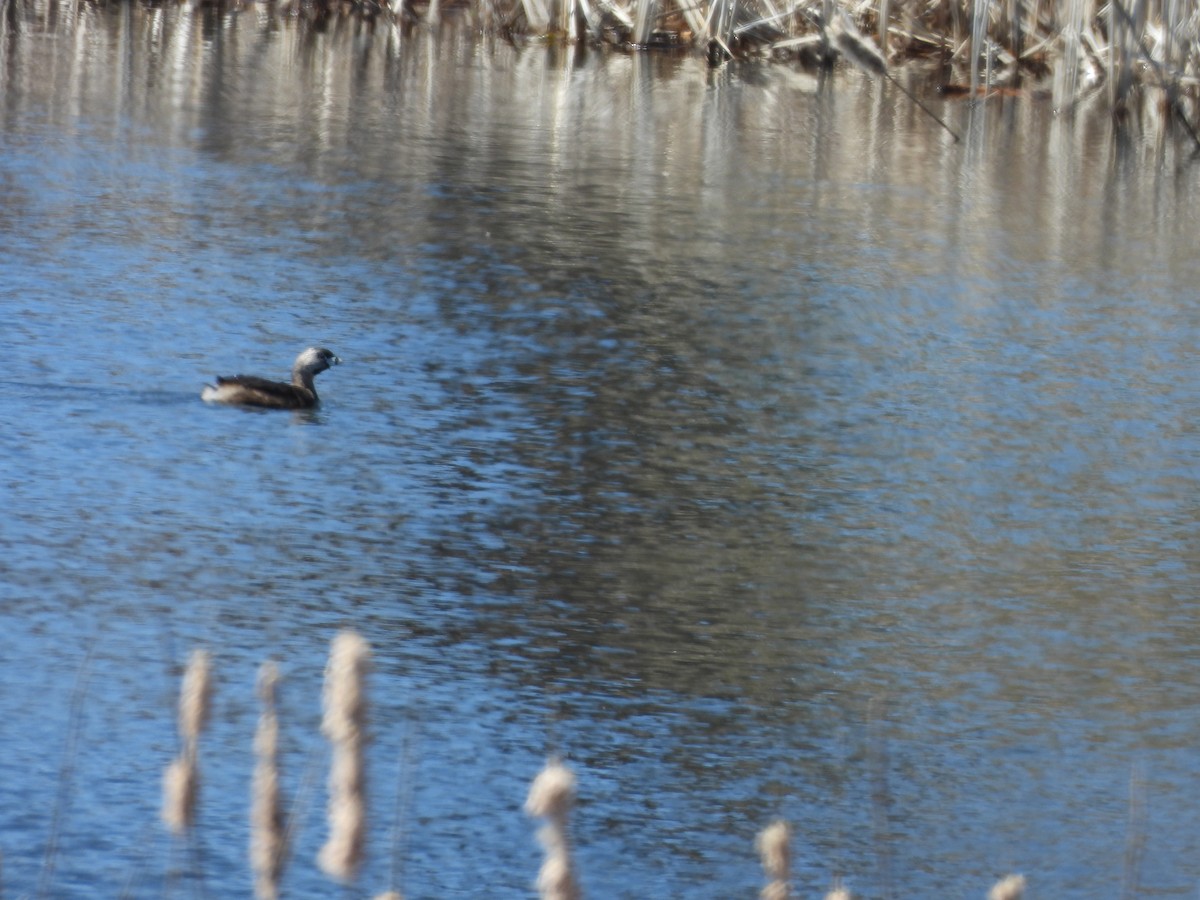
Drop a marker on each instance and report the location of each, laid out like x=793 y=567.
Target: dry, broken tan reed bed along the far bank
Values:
x=1063 y=50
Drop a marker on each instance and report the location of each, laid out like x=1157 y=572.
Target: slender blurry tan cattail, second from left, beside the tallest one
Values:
x=268 y=831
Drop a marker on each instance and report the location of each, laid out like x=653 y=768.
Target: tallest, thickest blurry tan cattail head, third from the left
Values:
x=345 y=725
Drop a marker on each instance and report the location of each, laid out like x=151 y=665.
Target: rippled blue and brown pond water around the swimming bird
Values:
x=735 y=434
